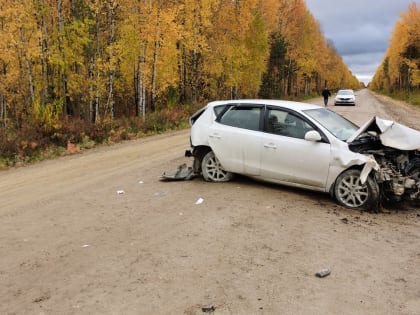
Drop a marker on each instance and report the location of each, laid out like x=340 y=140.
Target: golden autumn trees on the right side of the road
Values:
x=399 y=74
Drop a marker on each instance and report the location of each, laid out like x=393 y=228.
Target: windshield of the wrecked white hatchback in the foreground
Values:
x=339 y=126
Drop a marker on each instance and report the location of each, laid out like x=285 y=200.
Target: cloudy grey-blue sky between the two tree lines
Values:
x=359 y=29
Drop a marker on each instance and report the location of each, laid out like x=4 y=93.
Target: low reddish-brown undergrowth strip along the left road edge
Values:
x=37 y=142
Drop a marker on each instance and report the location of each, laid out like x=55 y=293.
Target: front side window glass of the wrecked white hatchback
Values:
x=286 y=124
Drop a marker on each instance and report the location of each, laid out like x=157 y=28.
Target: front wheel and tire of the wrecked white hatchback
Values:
x=351 y=193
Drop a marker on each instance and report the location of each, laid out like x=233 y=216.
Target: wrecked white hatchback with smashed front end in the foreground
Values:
x=307 y=146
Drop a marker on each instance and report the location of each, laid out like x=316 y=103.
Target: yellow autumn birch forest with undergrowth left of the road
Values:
x=74 y=74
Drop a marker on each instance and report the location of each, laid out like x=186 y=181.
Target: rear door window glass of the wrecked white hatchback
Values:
x=247 y=117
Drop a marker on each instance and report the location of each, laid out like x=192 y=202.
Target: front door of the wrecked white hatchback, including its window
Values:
x=287 y=157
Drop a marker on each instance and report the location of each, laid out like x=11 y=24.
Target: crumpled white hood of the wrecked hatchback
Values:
x=391 y=134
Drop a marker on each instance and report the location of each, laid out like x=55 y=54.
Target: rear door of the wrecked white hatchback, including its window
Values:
x=235 y=138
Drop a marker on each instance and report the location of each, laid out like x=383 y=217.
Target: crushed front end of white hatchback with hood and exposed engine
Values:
x=396 y=149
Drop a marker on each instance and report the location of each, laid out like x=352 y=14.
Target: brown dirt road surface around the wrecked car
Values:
x=98 y=233
